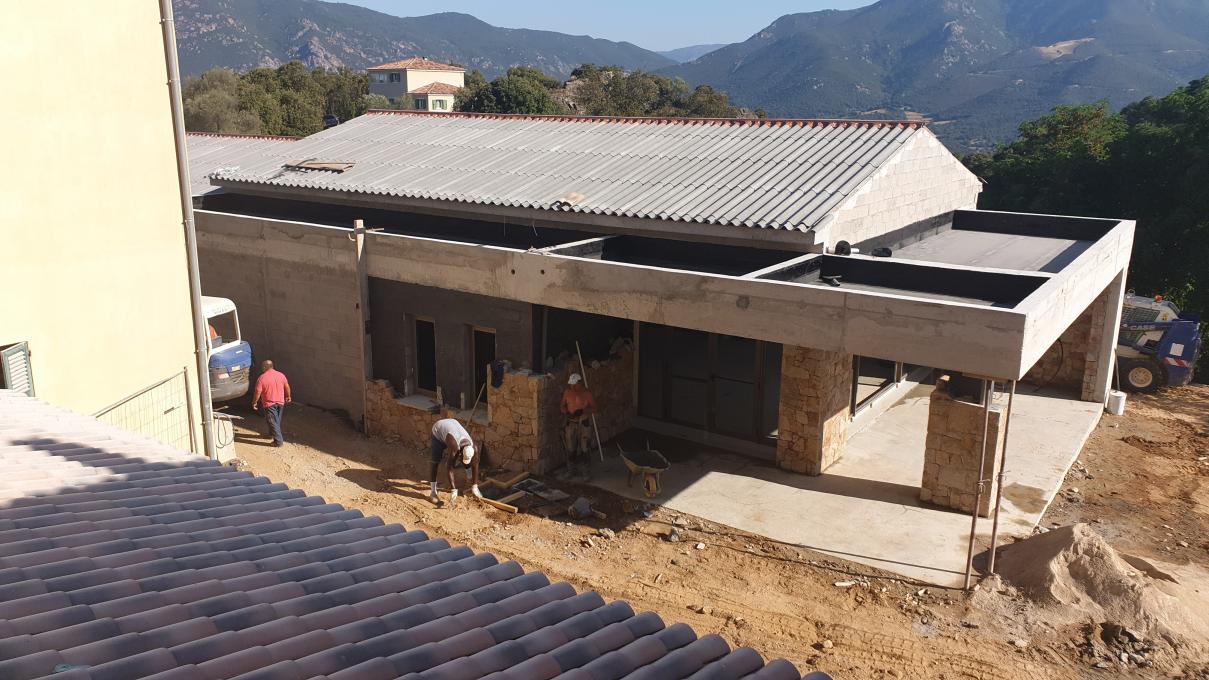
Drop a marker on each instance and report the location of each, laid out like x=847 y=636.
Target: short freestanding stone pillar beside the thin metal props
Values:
x=955 y=445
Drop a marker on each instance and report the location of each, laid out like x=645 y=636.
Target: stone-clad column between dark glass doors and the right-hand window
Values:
x=817 y=393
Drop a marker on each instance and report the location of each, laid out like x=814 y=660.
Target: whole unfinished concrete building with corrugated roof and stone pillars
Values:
x=763 y=287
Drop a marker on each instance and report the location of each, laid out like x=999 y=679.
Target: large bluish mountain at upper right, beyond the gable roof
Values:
x=977 y=68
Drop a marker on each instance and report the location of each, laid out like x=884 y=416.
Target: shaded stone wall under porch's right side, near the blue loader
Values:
x=1072 y=361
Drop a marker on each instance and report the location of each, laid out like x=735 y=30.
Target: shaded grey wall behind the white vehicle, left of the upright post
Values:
x=297 y=296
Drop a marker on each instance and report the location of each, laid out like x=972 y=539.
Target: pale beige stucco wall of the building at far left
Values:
x=94 y=270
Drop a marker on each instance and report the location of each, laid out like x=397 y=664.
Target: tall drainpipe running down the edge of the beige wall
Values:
x=187 y=208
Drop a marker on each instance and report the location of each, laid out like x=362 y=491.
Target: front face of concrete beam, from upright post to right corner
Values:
x=893 y=327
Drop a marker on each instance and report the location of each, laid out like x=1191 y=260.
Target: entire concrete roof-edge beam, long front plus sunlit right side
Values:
x=953 y=336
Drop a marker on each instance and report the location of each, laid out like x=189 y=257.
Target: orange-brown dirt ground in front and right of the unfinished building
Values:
x=1143 y=481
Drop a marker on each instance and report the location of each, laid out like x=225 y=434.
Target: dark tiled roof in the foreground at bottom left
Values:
x=123 y=558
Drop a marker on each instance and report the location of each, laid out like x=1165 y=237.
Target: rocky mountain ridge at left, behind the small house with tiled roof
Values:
x=245 y=34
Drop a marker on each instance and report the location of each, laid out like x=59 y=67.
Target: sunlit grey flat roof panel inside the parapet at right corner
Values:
x=994 y=250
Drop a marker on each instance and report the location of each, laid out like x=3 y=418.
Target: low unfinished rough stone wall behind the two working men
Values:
x=523 y=427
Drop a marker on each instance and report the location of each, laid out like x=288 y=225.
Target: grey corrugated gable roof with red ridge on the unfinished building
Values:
x=757 y=174
